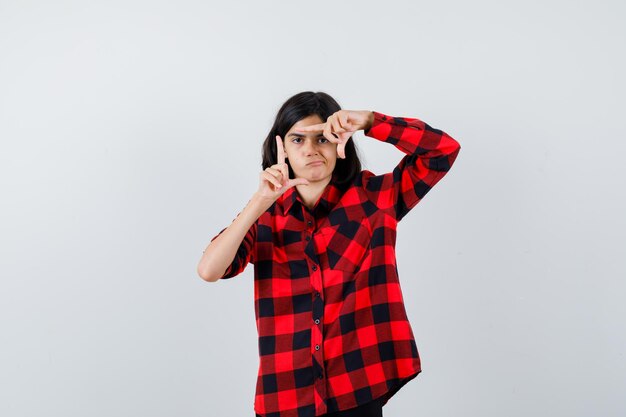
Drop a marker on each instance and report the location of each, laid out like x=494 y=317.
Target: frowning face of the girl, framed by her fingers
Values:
x=310 y=155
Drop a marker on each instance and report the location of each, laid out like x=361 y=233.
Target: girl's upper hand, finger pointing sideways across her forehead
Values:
x=340 y=126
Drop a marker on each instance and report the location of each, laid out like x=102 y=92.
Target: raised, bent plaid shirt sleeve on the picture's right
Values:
x=429 y=155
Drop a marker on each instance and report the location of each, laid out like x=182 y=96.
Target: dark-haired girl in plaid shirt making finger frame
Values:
x=334 y=338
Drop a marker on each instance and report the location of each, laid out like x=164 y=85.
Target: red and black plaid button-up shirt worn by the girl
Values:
x=333 y=330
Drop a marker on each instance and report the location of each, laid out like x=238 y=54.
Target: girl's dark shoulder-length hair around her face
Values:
x=296 y=108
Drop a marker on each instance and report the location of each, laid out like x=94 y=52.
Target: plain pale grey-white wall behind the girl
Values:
x=131 y=134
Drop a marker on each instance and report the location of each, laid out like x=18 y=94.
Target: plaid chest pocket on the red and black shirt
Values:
x=346 y=245
